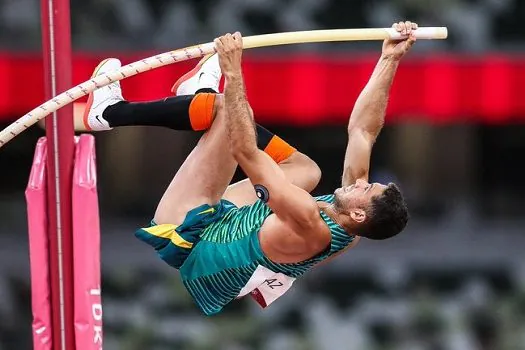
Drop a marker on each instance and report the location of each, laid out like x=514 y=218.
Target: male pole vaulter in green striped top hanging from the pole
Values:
x=256 y=236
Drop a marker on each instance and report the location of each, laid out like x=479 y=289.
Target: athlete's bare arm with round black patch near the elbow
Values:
x=290 y=203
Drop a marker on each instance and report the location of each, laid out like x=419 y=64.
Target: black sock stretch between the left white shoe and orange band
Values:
x=171 y=112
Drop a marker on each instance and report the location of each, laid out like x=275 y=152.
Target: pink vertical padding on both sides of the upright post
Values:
x=86 y=249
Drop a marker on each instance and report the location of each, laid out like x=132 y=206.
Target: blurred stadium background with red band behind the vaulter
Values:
x=455 y=280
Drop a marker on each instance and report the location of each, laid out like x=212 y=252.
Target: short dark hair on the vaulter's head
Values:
x=387 y=215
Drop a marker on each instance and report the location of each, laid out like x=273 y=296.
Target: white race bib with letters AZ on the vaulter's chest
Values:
x=266 y=286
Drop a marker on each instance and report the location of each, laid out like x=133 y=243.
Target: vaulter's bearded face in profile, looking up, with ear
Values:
x=355 y=200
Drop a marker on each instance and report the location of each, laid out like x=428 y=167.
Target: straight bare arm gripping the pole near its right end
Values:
x=368 y=116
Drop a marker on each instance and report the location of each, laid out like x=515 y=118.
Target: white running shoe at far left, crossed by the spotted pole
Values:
x=102 y=98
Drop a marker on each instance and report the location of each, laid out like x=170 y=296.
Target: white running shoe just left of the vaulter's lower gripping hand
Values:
x=206 y=75
